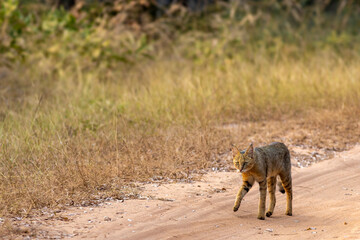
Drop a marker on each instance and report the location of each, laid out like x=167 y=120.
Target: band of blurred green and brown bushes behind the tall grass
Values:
x=127 y=32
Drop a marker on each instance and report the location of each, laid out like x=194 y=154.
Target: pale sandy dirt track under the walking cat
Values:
x=326 y=206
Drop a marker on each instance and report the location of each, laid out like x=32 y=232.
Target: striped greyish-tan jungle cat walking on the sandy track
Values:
x=264 y=164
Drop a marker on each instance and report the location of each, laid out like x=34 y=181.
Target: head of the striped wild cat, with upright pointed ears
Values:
x=243 y=160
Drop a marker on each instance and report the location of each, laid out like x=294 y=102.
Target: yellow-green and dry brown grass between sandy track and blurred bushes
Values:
x=81 y=135
